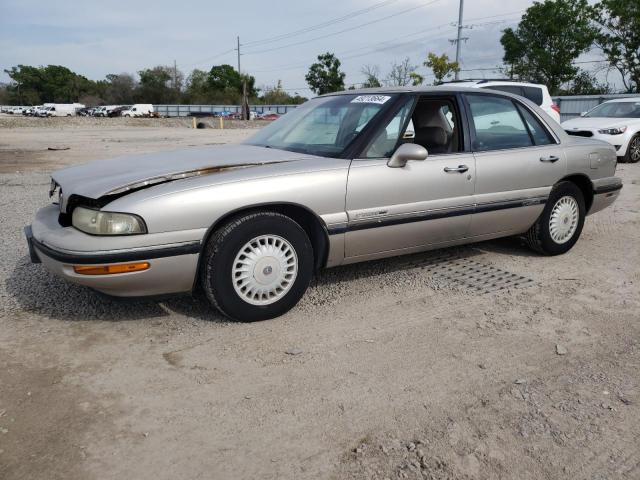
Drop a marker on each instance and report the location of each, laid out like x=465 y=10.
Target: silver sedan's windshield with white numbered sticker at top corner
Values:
x=324 y=126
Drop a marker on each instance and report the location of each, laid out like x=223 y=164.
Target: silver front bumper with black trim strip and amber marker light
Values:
x=173 y=264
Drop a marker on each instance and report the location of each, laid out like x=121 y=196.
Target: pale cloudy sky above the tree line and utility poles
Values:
x=278 y=39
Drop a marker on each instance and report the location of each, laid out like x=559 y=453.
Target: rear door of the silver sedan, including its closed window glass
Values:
x=518 y=159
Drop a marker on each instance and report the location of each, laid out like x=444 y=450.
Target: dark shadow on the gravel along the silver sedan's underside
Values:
x=36 y=290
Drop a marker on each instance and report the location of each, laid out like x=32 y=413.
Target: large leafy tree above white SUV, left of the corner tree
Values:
x=548 y=39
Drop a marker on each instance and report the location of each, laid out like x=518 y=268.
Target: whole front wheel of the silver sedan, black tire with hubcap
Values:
x=240 y=286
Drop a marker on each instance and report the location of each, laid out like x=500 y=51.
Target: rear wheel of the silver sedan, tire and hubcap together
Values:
x=565 y=201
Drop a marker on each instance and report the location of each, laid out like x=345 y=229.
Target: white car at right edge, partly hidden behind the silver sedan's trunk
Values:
x=616 y=122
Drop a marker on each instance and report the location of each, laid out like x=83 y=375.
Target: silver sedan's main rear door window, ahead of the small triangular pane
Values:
x=497 y=123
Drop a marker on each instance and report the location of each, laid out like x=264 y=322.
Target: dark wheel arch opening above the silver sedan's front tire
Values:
x=310 y=222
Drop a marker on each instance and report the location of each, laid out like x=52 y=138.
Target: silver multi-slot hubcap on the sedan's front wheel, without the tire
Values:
x=264 y=270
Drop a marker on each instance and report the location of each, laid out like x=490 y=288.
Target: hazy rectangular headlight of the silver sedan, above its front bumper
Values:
x=96 y=222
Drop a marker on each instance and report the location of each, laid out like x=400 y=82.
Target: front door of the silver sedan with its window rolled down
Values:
x=423 y=203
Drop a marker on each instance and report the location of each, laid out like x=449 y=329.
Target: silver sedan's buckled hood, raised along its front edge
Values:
x=119 y=175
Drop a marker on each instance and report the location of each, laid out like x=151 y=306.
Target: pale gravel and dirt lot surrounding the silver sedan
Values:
x=403 y=368
